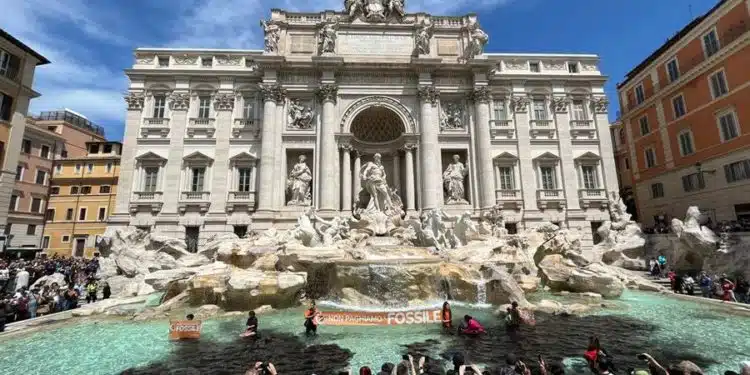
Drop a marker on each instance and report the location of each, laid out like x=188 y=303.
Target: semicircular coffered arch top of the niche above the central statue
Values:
x=386 y=112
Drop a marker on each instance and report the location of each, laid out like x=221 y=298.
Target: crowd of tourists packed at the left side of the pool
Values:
x=20 y=299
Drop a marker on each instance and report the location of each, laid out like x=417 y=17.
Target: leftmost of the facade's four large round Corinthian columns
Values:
x=270 y=93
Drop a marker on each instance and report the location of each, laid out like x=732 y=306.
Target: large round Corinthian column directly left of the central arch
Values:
x=329 y=192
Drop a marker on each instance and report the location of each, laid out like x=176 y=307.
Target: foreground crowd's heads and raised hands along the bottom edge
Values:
x=599 y=361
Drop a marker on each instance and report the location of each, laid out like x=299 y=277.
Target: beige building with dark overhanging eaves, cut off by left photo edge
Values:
x=17 y=65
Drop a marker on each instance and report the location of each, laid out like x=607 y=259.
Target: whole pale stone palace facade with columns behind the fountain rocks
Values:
x=237 y=140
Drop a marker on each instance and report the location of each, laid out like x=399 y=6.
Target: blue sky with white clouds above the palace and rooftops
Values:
x=90 y=42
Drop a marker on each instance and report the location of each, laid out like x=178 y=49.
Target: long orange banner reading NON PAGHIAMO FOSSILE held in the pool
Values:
x=362 y=318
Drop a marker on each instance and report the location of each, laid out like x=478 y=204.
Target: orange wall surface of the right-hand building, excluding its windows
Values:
x=731 y=23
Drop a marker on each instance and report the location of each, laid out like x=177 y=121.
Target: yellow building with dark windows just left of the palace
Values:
x=82 y=195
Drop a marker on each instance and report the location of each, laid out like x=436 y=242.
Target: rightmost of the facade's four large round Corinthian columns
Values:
x=481 y=98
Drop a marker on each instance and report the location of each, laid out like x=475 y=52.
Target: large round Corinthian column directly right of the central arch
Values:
x=432 y=192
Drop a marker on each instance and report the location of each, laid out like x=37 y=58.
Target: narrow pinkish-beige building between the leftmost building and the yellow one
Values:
x=28 y=200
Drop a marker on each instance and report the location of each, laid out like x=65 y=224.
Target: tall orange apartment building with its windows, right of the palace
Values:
x=686 y=121
